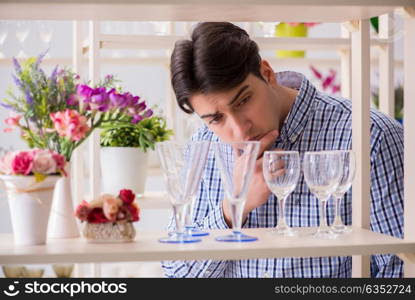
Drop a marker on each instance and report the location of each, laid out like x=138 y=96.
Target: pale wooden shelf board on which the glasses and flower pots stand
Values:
x=147 y=248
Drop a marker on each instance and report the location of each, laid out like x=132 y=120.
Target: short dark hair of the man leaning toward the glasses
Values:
x=218 y=57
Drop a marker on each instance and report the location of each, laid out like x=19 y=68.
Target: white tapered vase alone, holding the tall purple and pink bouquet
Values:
x=62 y=222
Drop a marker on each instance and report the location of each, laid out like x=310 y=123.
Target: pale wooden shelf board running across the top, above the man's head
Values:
x=200 y=10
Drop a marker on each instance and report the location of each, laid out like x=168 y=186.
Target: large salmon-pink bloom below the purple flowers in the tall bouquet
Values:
x=70 y=124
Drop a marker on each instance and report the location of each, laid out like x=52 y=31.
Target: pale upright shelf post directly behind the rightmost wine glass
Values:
x=360 y=42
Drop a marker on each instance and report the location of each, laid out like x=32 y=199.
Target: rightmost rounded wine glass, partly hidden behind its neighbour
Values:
x=348 y=159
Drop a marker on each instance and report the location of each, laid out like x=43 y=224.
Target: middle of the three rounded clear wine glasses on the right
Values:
x=322 y=173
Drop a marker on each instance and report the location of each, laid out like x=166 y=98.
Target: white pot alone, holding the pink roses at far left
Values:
x=30 y=205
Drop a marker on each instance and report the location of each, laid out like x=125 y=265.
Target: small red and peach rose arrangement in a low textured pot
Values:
x=109 y=218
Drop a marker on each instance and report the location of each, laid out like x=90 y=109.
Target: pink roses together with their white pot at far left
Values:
x=29 y=178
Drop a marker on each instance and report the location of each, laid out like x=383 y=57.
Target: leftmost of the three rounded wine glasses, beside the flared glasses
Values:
x=281 y=172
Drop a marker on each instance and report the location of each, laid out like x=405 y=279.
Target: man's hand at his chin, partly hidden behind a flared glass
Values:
x=258 y=191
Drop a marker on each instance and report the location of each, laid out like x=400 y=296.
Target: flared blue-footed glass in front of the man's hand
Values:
x=236 y=163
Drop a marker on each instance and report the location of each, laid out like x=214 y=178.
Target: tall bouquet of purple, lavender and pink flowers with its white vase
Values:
x=58 y=112
